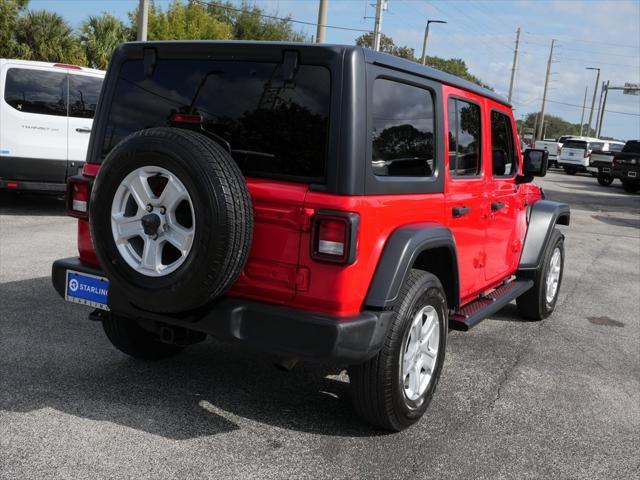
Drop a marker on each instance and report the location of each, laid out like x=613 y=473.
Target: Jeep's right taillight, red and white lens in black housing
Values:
x=334 y=237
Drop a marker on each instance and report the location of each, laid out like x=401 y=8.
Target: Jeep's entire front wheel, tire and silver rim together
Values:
x=540 y=301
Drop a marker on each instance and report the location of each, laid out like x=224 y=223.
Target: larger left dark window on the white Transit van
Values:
x=36 y=91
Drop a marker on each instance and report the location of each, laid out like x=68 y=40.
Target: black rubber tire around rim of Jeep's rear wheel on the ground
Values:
x=377 y=385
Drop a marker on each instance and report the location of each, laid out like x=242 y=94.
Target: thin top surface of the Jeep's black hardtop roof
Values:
x=370 y=56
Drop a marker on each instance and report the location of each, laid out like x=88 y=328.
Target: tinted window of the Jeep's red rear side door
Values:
x=464 y=138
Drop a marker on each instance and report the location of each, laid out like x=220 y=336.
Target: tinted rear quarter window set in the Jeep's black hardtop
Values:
x=403 y=125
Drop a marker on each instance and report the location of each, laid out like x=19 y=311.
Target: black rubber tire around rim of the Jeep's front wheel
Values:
x=533 y=304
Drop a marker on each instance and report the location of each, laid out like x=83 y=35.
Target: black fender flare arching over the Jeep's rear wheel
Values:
x=400 y=252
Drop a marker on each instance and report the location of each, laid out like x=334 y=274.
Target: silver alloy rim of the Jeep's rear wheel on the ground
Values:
x=420 y=352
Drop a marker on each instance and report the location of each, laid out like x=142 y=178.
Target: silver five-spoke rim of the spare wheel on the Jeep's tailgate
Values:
x=153 y=221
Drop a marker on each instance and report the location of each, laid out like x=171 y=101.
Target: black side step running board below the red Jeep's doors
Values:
x=473 y=313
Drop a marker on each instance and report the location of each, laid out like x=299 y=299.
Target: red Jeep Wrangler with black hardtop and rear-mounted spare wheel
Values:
x=325 y=203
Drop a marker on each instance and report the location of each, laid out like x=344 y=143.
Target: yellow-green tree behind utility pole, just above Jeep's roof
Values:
x=183 y=21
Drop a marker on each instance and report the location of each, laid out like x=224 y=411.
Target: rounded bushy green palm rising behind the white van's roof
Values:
x=46 y=36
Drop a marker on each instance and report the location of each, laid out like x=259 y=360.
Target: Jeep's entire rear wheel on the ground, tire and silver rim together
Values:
x=393 y=389
